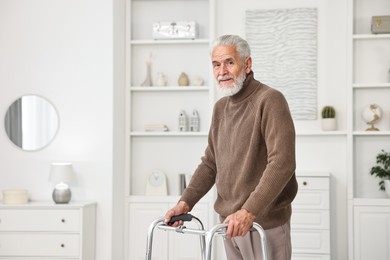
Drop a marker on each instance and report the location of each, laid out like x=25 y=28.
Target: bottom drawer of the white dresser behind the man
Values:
x=310 y=241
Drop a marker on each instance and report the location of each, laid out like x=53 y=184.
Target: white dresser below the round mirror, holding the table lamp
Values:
x=47 y=231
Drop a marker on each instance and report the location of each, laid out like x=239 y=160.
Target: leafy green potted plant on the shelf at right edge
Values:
x=382 y=171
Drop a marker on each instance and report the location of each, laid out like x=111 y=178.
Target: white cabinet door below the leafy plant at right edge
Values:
x=372 y=230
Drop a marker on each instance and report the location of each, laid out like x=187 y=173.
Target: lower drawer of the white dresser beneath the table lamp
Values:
x=36 y=244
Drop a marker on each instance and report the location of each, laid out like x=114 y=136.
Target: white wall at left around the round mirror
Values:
x=62 y=50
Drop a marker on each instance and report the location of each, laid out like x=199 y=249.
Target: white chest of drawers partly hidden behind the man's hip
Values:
x=310 y=222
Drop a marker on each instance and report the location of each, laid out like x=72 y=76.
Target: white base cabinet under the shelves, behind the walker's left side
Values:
x=166 y=245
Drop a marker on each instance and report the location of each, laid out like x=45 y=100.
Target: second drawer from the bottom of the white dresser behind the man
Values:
x=310 y=219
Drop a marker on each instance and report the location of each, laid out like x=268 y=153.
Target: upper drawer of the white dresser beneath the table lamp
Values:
x=39 y=220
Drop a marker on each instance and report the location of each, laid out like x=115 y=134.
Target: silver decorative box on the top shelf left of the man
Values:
x=175 y=30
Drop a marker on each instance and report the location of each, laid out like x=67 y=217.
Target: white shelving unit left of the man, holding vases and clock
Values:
x=172 y=152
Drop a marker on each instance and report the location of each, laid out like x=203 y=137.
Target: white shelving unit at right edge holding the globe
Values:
x=369 y=61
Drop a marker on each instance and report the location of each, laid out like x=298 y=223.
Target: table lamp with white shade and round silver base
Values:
x=61 y=174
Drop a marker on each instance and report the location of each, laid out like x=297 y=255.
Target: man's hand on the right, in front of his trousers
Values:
x=239 y=223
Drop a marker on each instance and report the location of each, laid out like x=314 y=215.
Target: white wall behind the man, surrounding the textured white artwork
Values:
x=314 y=153
